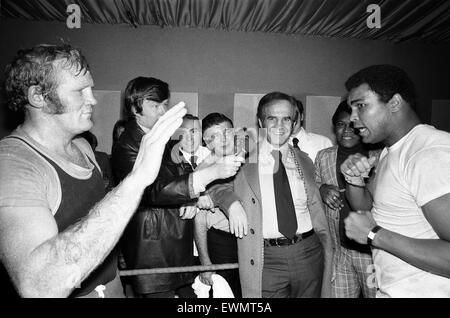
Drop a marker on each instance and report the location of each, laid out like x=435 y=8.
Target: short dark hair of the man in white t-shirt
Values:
x=386 y=81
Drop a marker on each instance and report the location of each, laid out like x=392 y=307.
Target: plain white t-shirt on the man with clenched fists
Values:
x=412 y=172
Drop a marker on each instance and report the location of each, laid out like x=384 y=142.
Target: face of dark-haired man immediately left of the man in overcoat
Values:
x=220 y=139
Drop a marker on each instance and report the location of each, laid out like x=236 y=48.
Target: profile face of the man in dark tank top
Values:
x=74 y=100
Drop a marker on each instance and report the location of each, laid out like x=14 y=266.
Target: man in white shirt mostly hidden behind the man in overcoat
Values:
x=307 y=141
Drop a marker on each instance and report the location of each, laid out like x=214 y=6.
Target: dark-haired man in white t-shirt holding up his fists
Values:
x=409 y=225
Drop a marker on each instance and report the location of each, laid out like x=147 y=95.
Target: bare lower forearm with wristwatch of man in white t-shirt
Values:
x=431 y=255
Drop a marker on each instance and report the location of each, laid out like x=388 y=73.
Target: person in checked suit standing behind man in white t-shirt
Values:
x=352 y=262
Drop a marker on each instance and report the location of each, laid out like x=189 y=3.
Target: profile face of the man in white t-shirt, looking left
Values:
x=369 y=115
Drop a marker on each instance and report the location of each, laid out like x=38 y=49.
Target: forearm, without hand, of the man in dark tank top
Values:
x=60 y=264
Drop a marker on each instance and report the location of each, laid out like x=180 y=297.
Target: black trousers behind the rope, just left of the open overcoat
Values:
x=222 y=248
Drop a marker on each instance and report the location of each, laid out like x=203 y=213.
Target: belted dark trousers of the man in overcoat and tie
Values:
x=293 y=271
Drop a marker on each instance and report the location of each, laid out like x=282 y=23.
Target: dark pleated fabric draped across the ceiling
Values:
x=427 y=20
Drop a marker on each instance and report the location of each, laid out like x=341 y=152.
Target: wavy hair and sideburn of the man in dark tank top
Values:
x=36 y=67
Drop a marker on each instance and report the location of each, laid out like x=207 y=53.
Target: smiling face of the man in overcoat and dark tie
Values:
x=278 y=118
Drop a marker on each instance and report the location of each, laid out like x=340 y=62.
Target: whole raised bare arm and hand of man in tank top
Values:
x=45 y=263
